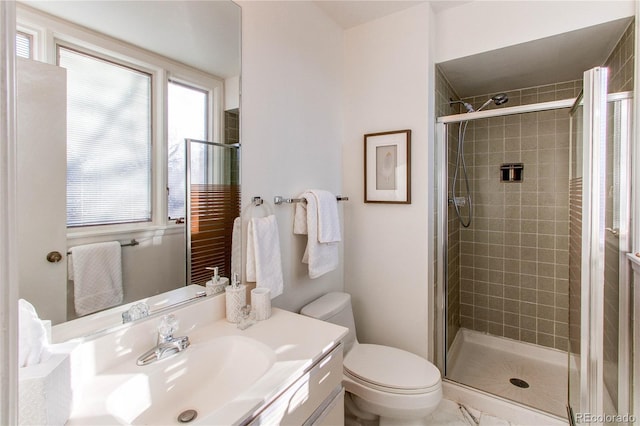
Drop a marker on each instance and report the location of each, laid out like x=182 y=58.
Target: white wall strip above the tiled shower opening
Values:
x=480 y=26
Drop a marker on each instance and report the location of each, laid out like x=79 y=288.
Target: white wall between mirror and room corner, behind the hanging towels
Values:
x=291 y=125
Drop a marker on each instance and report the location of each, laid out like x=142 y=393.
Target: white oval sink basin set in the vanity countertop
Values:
x=204 y=377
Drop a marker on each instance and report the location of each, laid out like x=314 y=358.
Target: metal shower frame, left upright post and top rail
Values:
x=442 y=196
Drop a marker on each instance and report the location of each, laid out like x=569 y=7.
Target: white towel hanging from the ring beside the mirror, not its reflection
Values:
x=264 y=264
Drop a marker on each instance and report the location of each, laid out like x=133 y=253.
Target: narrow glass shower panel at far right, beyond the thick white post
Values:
x=617 y=309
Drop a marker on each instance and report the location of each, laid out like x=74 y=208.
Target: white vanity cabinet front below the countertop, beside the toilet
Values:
x=316 y=398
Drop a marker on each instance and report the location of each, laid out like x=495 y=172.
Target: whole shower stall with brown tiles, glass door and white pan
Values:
x=532 y=293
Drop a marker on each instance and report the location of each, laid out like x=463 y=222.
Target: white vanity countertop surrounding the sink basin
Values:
x=297 y=342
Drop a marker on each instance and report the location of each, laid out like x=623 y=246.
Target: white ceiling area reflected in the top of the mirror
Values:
x=202 y=34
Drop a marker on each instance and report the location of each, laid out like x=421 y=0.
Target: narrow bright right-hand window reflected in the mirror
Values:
x=187 y=118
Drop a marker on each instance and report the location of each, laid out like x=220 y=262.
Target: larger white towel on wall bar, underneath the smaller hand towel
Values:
x=321 y=257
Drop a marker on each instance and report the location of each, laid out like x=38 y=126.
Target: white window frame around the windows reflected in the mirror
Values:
x=50 y=31
